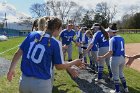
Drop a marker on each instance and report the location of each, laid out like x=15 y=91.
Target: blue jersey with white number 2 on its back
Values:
x=99 y=39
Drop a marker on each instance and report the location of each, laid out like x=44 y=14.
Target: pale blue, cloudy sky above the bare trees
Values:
x=123 y=6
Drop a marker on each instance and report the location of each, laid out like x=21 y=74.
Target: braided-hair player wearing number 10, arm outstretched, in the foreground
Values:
x=40 y=51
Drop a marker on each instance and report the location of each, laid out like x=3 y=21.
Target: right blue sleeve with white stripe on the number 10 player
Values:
x=58 y=54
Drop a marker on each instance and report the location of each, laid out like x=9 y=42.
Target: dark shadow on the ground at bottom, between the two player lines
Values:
x=93 y=87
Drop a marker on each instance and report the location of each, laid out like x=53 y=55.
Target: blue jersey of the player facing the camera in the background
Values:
x=67 y=36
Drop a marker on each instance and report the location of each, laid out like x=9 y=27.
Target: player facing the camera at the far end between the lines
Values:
x=67 y=36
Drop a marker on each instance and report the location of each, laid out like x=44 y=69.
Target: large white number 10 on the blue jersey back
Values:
x=34 y=52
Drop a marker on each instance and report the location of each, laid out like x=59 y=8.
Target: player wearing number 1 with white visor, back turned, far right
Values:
x=117 y=53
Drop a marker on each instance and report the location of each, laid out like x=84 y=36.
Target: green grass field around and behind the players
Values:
x=63 y=83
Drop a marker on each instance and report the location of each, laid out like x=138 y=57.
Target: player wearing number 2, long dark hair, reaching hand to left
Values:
x=101 y=39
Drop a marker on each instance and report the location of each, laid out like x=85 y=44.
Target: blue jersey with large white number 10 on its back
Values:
x=38 y=58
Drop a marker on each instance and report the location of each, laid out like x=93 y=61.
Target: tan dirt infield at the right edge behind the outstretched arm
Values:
x=132 y=49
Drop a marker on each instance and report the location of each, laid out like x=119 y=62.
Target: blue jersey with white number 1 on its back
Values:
x=116 y=44
